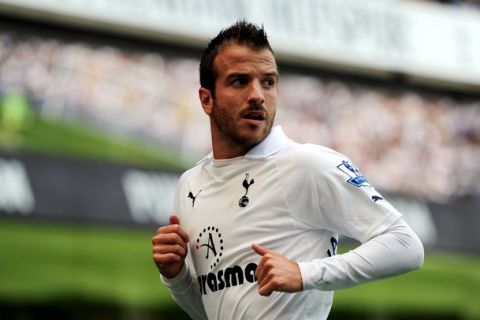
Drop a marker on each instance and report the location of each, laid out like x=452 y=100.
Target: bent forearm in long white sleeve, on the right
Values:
x=396 y=251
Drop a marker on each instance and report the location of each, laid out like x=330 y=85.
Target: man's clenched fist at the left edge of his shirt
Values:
x=170 y=248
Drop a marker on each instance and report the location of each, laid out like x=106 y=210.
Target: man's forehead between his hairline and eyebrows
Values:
x=235 y=58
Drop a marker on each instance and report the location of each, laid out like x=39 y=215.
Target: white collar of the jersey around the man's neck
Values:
x=267 y=148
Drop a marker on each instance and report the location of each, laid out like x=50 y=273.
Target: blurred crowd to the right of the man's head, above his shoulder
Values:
x=428 y=147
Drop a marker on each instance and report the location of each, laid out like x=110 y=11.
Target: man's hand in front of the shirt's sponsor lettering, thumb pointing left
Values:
x=276 y=273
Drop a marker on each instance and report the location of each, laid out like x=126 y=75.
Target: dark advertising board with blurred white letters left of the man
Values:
x=63 y=189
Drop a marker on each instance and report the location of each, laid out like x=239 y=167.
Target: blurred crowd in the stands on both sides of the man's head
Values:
x=403 y=141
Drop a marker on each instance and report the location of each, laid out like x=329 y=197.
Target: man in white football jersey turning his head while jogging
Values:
x=257 y=221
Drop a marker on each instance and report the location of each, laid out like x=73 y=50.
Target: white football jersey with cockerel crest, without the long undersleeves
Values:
x=291 y=198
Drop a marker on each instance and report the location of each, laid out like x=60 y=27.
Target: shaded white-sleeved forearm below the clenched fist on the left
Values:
x=184 y=290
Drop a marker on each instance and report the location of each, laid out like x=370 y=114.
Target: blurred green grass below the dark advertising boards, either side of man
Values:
x=41 y=262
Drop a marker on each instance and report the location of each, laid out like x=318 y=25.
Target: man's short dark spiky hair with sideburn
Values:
x=240 y=33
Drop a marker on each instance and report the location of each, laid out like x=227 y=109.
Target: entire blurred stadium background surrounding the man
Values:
x=99 y=116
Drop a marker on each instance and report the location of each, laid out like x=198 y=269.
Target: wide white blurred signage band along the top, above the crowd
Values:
x=423 y=41
